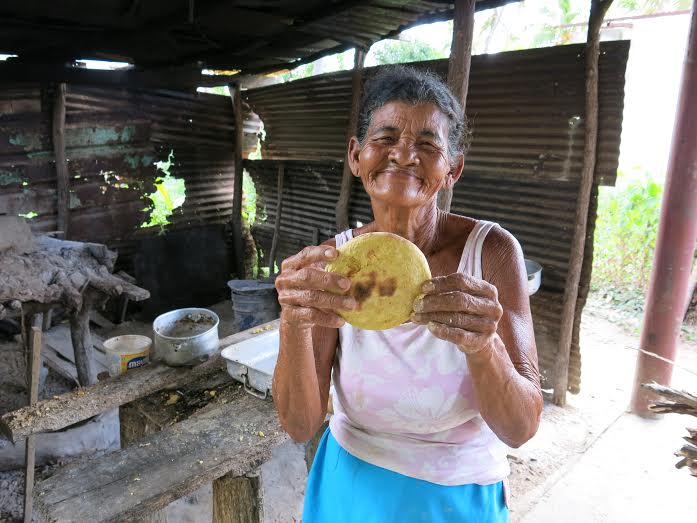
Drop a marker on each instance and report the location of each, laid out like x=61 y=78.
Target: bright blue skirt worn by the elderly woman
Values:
x=344 y=489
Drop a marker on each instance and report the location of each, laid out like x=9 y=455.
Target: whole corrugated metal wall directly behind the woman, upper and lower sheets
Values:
x=522 y=170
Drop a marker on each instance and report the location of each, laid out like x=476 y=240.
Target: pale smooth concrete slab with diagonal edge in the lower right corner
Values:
x=626 y=476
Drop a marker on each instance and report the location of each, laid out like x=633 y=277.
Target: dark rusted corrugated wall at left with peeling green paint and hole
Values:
x=113 y=138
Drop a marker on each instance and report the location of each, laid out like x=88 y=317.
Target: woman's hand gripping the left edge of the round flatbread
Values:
x=308 y=294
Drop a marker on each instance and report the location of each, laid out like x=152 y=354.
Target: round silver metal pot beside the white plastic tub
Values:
x=186 y=336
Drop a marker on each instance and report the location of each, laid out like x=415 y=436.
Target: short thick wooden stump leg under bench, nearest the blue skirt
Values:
x=237 y=499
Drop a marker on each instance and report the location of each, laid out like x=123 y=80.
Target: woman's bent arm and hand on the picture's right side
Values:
x=490 y=321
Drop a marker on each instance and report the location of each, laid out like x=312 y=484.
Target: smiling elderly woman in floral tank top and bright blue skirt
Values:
x=422 y=410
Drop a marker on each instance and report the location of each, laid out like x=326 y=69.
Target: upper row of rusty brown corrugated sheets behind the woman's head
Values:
x=533 y=130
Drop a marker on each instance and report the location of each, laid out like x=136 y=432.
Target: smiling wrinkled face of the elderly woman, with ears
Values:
x=404 y=160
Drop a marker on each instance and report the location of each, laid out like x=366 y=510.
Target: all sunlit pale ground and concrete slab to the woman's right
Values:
x=594 y=462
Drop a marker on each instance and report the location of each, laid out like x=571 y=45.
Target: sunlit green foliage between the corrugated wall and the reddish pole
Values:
x=625 y=237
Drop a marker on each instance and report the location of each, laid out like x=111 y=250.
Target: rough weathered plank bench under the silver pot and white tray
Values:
x=223 y=442
